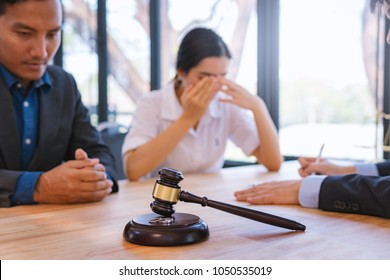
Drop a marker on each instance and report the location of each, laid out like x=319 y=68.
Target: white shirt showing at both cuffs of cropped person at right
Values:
x=310 y=188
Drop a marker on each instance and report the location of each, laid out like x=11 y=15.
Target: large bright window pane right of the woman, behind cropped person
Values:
x=327 y=79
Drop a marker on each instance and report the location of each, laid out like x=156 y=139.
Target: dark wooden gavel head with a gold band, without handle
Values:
x=166 y=191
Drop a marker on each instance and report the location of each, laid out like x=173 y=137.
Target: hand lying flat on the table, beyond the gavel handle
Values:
x=277 y=192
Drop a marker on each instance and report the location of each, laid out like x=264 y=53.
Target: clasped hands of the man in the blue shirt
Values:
x=75 y=181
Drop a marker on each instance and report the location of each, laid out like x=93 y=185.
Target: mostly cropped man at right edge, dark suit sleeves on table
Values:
x=363 y=189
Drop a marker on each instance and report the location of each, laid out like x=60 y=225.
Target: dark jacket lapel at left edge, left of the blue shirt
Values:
x=9 y=134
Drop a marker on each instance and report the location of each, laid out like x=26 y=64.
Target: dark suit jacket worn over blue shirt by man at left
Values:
x=64 y=126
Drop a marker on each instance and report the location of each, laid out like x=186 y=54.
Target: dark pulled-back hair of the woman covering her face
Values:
x=197 y=44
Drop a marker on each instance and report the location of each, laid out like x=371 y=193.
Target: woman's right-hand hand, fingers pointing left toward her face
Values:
x=238 y=95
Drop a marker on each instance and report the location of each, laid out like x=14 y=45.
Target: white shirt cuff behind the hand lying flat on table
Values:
x=310 y=190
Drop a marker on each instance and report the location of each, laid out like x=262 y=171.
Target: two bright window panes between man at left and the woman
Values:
x=128 y=51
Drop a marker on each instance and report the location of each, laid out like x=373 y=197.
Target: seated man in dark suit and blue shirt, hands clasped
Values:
x=49 y=151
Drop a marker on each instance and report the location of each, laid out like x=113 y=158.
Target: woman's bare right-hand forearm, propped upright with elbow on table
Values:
x=269 y=154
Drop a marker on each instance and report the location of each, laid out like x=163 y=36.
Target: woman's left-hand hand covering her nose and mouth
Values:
x=196 y=97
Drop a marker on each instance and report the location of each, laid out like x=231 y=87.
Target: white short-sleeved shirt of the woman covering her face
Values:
x=201 y=150
